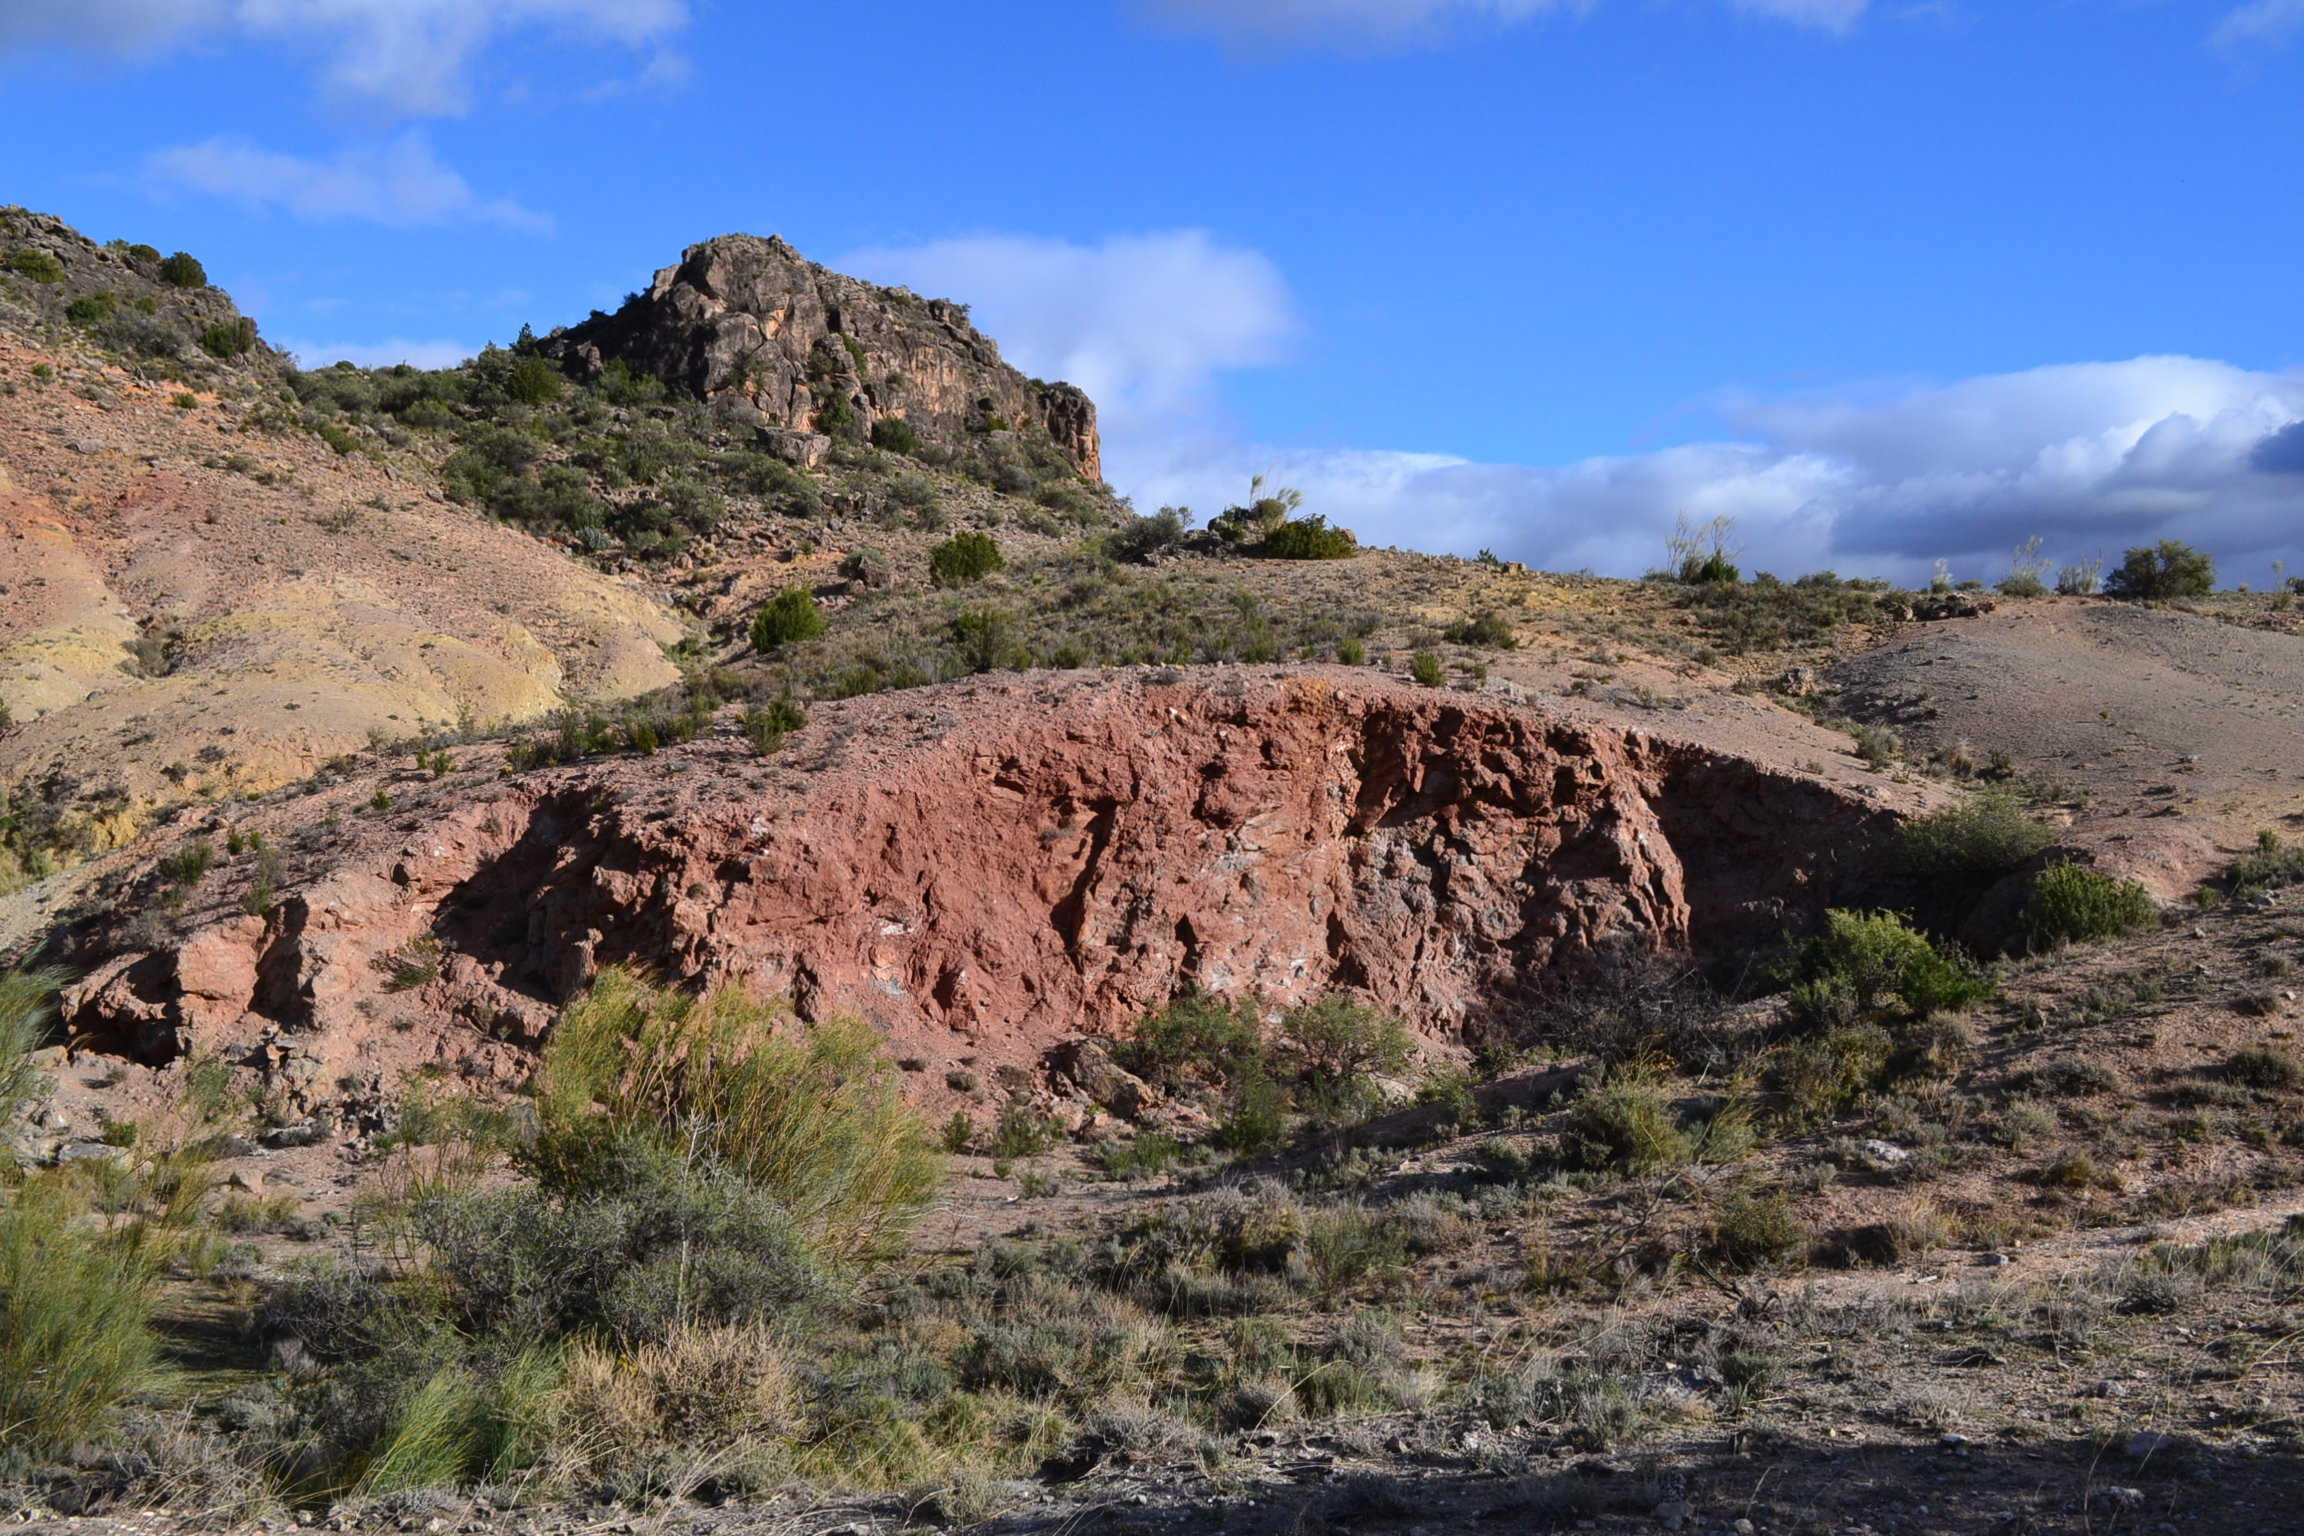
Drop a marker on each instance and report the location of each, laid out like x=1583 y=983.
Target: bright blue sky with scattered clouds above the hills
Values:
x=1888 y=284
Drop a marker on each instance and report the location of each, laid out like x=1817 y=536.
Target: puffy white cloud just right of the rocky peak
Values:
x=1139 y=321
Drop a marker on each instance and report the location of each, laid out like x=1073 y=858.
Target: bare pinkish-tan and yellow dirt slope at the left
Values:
x=195 y=611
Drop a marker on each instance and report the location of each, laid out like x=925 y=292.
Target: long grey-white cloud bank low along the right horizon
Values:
x=1872 y=482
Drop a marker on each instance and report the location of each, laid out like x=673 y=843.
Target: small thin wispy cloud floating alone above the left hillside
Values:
x=397 y=185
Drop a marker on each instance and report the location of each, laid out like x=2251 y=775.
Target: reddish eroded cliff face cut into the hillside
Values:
x=990 y=869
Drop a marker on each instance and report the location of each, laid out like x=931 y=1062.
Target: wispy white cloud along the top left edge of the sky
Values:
x=411 y=56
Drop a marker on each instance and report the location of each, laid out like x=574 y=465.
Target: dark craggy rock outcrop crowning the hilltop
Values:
x=824 y=353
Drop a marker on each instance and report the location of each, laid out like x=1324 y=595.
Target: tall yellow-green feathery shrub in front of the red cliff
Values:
x=805 y=1113
